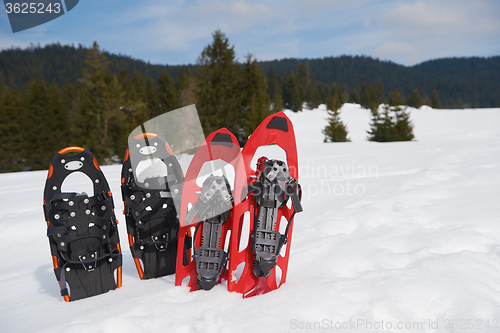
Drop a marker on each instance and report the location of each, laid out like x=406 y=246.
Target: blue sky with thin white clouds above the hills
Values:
x=175 y=32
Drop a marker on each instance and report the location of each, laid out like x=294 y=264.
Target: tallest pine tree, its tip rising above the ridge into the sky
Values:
x=218 y=93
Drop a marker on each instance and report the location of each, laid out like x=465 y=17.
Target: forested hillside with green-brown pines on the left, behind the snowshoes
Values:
x=104 y=97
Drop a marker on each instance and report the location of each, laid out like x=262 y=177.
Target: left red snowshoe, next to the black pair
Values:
x=207 y=207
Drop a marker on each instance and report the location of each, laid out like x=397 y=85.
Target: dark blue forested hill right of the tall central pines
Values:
x=459 y=82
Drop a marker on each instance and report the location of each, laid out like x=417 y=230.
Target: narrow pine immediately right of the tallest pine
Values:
x=255 y=98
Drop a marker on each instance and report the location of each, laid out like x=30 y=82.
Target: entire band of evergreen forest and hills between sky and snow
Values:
x=57 y=96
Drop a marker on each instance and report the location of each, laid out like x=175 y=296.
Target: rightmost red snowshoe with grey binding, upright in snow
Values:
x=261 y=265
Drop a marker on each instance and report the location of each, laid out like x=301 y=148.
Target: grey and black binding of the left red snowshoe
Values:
x=213 y=208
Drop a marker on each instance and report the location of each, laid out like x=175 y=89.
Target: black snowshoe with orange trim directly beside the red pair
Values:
x=151 y=179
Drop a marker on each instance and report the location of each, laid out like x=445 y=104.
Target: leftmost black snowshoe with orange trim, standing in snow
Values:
x=82 y=229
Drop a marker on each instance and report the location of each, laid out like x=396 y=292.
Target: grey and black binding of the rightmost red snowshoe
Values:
x=272 y=189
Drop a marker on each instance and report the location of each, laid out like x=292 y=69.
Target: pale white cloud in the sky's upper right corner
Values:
x=423 y=30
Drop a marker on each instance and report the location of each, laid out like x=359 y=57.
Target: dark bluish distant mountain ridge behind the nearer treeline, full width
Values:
x=459 y=82
